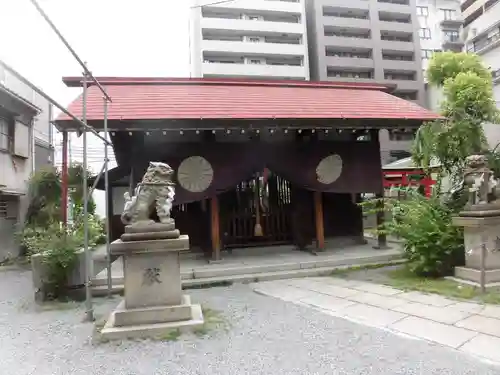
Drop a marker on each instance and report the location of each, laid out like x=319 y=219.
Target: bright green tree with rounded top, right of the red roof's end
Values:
x=468 y=103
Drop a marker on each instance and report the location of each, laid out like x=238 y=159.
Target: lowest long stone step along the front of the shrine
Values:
x=102 y=290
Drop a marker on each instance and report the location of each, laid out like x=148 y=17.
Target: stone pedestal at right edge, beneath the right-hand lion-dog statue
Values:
x=479 y=230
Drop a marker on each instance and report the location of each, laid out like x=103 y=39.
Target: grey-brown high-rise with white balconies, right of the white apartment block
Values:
x=366 y=40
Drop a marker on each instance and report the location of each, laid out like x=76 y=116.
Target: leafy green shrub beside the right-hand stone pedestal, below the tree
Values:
x=432 y=244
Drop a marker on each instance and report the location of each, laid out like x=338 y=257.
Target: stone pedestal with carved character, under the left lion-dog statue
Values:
x=153 y=303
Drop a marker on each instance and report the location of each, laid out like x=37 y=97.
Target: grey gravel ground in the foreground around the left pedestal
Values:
x=267 y=336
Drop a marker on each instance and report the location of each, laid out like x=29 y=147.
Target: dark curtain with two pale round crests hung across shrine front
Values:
x=296 y=162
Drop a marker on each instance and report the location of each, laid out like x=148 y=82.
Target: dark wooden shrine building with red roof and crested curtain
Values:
x=257 y=163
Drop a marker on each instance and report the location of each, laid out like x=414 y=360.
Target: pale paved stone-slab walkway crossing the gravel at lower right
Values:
x=466 y=326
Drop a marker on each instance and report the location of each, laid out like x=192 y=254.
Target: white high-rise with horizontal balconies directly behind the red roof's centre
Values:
x=258 y=39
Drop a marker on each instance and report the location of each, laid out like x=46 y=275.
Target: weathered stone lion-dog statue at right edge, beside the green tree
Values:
x=481 y=186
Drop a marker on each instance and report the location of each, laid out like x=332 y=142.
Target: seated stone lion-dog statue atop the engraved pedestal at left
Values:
x=155 y=192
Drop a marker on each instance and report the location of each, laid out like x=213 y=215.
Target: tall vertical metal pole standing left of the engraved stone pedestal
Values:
x=88 y=256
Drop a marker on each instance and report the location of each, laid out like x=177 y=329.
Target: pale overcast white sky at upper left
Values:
x=147 y=38
